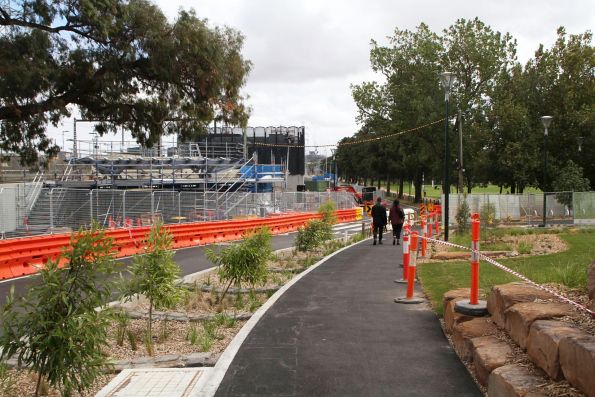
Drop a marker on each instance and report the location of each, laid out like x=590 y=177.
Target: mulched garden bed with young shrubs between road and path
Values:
x=159 y=322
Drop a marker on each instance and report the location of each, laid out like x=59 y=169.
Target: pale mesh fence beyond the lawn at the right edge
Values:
x=528 y=209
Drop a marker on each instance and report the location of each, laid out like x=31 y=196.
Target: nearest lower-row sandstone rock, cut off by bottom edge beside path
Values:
x=514 y=381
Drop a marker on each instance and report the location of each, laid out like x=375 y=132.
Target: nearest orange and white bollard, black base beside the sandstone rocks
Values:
x=473 y=306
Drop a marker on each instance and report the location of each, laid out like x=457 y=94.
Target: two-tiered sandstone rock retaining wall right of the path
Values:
x=529 y=316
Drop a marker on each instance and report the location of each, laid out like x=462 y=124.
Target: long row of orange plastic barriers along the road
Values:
x=23 y=256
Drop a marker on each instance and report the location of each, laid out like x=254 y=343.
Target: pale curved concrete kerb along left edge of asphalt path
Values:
x=220 y=369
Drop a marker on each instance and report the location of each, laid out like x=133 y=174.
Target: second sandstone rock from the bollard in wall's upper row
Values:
x=519 y=317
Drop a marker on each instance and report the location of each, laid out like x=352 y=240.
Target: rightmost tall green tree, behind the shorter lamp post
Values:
x=560 y=83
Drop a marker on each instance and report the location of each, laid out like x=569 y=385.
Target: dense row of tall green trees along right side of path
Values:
x=500 y=100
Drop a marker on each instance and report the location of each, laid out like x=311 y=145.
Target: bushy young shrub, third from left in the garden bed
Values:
x=244 y=262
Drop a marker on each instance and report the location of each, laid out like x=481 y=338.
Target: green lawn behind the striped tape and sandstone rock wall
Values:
x=568 y=268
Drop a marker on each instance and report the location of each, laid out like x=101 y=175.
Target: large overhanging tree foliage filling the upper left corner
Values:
x=118 y=61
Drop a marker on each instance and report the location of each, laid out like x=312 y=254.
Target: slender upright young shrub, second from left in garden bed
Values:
x=154 y=272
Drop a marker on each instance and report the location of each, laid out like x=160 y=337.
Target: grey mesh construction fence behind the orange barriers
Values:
x=28 y=210
